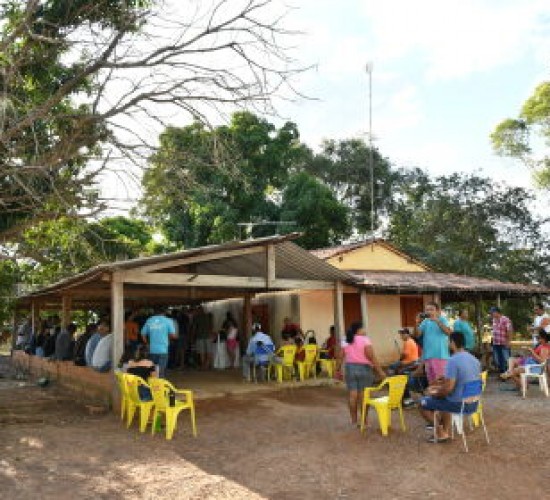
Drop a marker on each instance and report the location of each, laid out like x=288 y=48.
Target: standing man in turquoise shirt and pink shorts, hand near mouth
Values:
x=435 y=341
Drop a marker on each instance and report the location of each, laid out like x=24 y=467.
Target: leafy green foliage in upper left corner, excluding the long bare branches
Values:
x=46 y=136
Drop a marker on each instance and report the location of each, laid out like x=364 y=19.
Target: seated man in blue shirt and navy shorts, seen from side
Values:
x=446 y=394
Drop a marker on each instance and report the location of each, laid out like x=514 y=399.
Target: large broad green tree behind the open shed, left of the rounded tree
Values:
x=195 y=202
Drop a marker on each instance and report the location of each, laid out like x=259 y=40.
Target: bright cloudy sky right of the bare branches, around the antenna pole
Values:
x=445 y=73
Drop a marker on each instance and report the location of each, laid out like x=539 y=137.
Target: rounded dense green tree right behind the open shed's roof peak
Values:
x=318 y=214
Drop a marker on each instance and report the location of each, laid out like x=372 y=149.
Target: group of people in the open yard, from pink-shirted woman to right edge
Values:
x=440 y=360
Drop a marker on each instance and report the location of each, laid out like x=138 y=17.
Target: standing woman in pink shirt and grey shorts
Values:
x=360 y=361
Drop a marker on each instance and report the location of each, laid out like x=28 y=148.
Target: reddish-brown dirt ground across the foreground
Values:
x=296 y=443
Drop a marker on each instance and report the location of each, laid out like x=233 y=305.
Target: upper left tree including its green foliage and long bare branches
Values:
x=82 y=79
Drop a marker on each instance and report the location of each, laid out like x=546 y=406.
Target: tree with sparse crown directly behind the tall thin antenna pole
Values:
x=344 y=167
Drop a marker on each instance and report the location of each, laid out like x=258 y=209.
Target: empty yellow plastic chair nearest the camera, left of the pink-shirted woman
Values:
x=161 y=389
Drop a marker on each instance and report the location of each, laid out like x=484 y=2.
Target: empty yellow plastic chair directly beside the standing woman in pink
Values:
x=385 y=404
